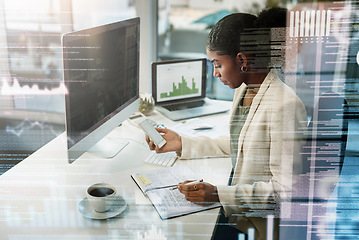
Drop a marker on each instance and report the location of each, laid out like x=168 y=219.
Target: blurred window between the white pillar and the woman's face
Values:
x=183 y=27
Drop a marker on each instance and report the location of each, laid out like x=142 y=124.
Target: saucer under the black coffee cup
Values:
x=118 y=207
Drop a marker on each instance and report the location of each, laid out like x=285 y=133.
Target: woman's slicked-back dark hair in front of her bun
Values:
x=225 y=36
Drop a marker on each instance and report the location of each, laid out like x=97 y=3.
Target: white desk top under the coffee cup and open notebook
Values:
x=39 y=197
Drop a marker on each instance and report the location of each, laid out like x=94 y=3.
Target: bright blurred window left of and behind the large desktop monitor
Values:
x=32 y=92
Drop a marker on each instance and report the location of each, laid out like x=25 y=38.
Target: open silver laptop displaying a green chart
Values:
x=179 y=89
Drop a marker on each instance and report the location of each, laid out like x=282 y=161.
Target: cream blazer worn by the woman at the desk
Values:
x=268 y=151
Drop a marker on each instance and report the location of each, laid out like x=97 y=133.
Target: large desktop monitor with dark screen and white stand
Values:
x=101 y=73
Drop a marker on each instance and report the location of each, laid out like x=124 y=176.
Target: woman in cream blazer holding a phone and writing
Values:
x=263 y=145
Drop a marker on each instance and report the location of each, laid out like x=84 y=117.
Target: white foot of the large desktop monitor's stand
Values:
x=108 y=148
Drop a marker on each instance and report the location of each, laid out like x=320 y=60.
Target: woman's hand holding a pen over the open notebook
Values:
x=200 y=193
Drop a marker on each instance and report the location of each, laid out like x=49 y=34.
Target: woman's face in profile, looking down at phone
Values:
x=227 y=69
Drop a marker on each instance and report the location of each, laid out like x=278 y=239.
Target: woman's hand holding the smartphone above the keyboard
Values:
x=173 y=141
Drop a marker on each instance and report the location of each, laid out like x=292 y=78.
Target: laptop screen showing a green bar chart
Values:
x=178 y=80
